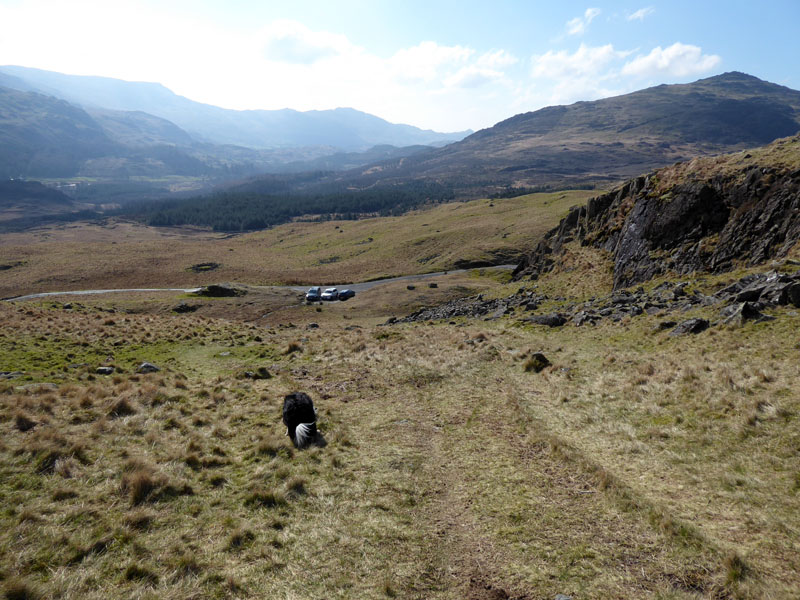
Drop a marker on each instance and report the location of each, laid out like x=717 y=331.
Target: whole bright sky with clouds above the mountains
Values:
x=437 y=64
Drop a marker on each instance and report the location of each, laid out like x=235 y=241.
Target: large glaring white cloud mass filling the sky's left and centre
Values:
x=283 y=64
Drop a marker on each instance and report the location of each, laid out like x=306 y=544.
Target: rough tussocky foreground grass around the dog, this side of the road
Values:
x=636 y=465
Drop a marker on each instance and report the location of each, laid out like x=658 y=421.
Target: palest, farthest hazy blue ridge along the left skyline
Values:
x=344 y=128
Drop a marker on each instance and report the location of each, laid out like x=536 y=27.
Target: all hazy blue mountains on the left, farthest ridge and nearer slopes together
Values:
x=55 y=126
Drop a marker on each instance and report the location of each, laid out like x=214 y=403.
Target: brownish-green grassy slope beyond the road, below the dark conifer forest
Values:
x=129 y=255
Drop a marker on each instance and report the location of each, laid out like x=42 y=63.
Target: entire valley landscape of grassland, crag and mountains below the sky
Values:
x=616 y=416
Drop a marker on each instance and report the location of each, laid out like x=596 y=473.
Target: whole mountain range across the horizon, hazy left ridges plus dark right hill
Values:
x=59 y=126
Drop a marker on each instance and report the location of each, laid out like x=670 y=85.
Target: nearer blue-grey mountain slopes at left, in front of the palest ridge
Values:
x=43 y=136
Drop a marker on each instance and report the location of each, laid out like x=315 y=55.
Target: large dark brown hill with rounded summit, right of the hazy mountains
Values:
x=610 y=139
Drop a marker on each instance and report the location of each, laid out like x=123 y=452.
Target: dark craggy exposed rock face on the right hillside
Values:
x=746 y=216
